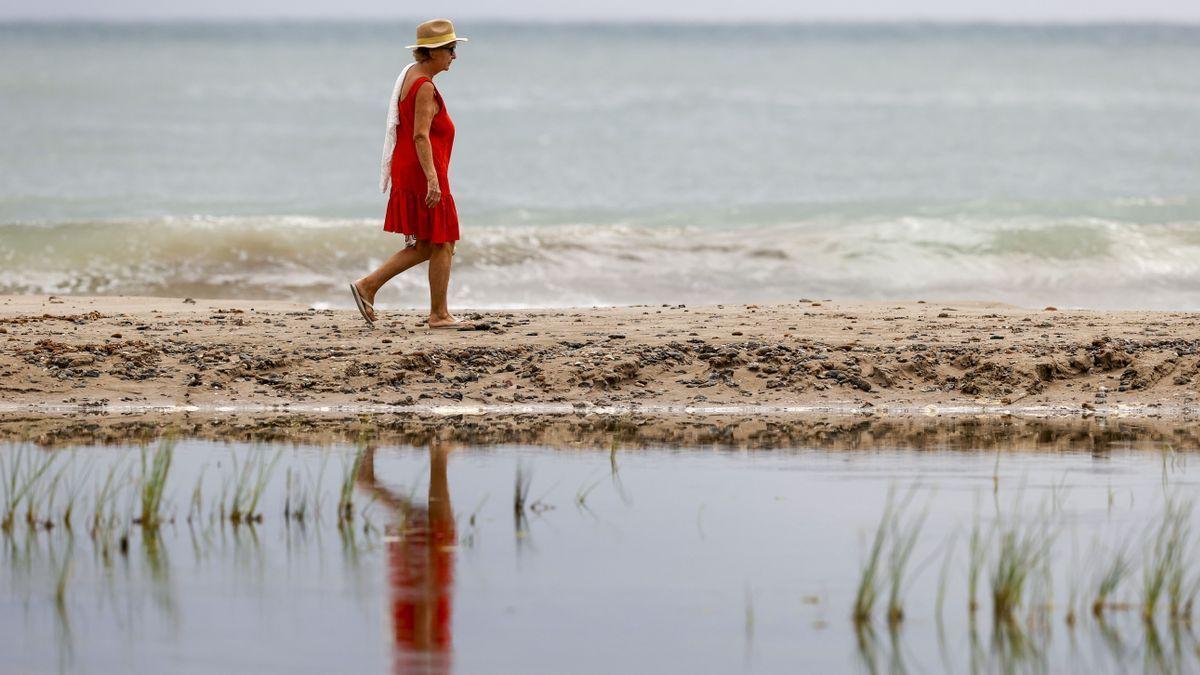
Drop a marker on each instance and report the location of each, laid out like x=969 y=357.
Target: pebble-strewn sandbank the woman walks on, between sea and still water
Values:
x=879 y=357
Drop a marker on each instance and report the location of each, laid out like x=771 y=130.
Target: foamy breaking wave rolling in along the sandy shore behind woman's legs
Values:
x=1025 y=260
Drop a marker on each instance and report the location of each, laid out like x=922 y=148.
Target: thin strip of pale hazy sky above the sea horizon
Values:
x=561 y=10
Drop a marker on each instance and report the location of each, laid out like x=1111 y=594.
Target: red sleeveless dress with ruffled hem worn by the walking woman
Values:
x=407 y=213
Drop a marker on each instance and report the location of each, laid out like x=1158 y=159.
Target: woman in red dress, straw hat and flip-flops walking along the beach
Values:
x=416 y=166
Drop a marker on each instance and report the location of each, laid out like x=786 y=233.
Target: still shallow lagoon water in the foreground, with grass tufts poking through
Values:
x=649 y=560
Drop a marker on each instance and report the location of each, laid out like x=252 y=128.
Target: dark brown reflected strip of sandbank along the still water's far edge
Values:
x=836 y=433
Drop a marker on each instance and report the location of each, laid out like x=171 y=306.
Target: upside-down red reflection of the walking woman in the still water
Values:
x=421 y=569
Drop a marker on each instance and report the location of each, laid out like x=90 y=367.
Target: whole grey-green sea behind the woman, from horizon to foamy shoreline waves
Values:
x=609 y=164
